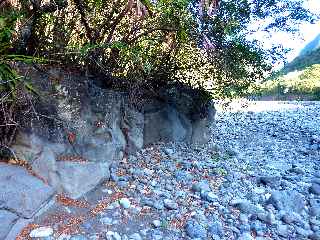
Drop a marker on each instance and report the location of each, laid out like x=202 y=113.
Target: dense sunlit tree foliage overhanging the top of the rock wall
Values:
x=199 y=42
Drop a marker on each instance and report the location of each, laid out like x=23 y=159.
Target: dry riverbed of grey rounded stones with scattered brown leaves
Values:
x=258 y=178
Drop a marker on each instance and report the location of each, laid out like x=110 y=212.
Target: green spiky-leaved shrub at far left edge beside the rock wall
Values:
x=13 y=88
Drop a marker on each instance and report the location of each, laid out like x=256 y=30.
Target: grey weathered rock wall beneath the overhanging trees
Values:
x=79 y=129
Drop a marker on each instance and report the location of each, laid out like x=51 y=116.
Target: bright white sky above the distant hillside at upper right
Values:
x=308 y=32
